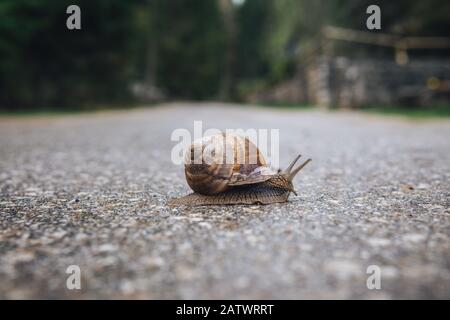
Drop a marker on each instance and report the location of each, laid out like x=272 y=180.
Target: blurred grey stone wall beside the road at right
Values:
x=354 y=83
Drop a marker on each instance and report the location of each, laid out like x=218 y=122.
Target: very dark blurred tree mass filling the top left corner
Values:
x=43 y=64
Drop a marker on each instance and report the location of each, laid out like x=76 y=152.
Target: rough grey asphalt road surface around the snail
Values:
x=91 y=190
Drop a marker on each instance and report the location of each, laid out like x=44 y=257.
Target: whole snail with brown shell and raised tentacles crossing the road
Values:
x=227 y=169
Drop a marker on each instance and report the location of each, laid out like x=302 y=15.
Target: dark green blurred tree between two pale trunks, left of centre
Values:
x=191 y=48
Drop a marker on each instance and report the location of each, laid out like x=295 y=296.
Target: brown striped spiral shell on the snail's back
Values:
x=215 y=163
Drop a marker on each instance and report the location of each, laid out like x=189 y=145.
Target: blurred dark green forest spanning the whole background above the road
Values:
x=188 y=48
